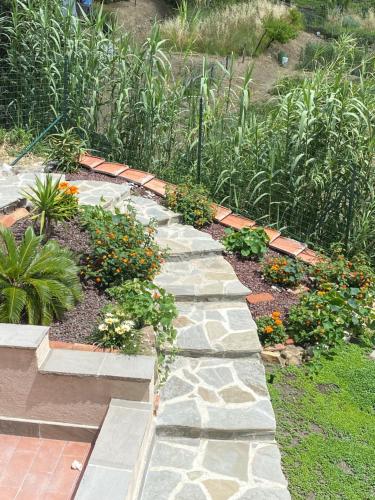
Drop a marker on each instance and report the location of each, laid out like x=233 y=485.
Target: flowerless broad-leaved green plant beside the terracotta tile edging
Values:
x=248 y=242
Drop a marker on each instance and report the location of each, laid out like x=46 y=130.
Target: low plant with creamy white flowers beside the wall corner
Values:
x=117 y=330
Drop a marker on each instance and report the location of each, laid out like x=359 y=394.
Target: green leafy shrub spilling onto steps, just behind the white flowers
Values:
x=147 y=304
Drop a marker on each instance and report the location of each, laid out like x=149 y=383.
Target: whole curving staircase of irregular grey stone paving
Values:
x=215 y=427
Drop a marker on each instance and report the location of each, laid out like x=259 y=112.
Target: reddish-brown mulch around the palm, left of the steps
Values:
x=77 y=324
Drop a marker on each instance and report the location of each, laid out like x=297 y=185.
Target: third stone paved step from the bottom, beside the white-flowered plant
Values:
x=219 y=329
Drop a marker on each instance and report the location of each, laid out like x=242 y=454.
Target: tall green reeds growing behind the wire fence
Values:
x=304 y=163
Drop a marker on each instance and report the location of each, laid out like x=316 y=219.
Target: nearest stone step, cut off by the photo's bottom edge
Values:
x=208 y=469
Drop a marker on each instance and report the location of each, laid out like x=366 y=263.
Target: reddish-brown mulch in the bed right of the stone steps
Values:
x=248 y=272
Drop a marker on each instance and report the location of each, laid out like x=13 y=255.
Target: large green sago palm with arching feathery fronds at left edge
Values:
x=37 y=283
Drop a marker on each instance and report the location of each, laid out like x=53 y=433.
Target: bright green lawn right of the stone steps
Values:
x=326 y=427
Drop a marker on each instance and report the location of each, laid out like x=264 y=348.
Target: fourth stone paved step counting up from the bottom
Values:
x=201 y=278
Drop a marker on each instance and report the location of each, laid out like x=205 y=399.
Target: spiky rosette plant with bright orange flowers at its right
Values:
x=52 y=201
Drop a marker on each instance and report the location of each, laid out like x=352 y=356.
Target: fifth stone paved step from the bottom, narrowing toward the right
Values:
x=185 y=242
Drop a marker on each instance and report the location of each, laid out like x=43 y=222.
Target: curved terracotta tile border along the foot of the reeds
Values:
x=222 y=215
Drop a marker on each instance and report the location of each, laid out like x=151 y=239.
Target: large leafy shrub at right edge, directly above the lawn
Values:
x=325 y=318
